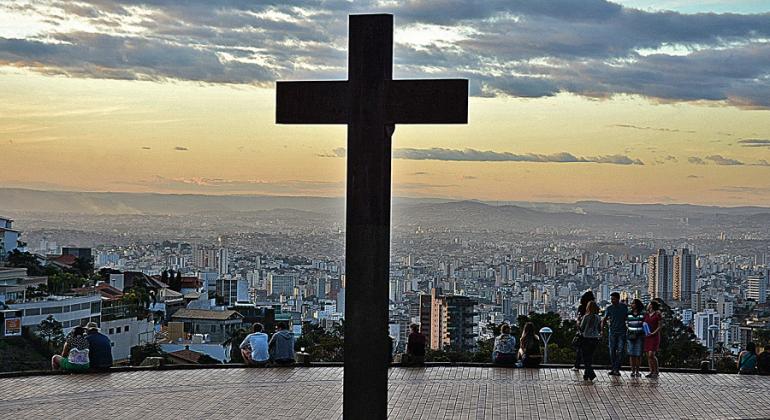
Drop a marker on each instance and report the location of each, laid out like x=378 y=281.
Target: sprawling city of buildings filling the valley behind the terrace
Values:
x=455 y=280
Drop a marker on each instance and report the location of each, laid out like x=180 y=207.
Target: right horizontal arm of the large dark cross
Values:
x=430 y=101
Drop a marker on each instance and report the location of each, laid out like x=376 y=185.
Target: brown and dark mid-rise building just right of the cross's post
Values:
x=452 y=321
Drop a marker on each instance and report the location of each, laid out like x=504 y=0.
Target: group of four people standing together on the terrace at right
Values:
x=631 y=330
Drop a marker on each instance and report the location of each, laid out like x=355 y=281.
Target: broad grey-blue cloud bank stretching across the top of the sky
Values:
x=528 y=48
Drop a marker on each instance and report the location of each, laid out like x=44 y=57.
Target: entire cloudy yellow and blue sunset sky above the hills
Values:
x=634 y=101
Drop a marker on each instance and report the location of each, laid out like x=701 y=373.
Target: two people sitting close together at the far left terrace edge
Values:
x=85 y=349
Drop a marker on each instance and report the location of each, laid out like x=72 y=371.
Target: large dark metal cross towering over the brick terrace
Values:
x=370 y=103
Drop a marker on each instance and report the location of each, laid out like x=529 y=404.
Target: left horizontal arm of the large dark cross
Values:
x=325 y=102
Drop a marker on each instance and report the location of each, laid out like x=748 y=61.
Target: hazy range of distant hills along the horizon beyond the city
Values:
x=516 y=216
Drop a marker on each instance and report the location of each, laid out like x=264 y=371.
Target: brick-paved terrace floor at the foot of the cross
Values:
x=415 y=393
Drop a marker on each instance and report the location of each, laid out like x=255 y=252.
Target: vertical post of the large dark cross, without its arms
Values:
x=367 y=238
